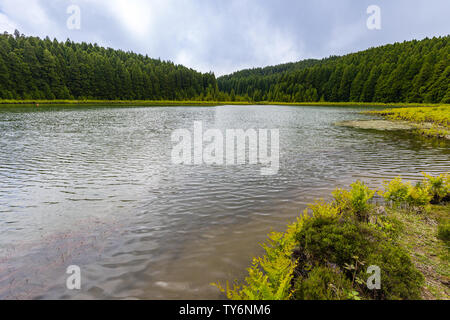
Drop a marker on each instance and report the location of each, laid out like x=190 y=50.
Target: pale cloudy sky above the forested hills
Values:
x=227 y=35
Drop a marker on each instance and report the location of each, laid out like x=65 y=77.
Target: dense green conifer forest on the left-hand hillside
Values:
x=31 y=68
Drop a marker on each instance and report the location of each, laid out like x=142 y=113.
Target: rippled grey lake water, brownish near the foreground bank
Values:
x=95 y=187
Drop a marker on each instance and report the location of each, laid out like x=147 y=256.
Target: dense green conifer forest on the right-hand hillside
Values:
x=412 y=71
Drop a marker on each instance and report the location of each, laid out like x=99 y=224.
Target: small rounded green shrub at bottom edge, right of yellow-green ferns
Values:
x=323 y=284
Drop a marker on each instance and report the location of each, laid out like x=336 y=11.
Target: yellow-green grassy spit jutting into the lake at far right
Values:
x=429 y=121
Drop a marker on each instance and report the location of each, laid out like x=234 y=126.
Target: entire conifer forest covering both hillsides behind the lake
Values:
x=42 y=69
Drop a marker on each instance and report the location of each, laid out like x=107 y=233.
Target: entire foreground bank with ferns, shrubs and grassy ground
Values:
x=326 y=253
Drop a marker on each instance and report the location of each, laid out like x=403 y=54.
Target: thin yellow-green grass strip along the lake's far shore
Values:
x=204 y=103
